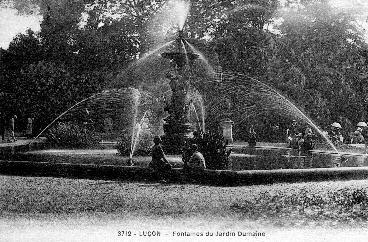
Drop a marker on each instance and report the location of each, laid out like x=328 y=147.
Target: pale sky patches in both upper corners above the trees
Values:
x=11 y=23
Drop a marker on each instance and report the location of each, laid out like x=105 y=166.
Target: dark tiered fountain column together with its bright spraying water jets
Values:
x=177 y=126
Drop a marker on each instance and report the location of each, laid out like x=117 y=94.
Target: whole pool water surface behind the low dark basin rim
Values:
x=241 y=158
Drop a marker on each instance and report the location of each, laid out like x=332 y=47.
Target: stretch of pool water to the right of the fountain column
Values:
x=263 y=158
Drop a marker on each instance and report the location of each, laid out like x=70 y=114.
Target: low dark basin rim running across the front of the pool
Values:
x=208 y=177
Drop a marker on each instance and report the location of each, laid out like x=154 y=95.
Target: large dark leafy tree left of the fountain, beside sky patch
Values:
x=64 y=63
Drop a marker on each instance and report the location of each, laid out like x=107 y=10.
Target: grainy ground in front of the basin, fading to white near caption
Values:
x=32 y=206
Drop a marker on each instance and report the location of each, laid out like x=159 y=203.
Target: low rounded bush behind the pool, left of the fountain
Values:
x=71 y=135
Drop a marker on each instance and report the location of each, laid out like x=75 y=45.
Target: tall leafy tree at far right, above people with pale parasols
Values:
x=319 y=62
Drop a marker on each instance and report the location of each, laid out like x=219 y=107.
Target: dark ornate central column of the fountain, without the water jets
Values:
x=177 y=127
